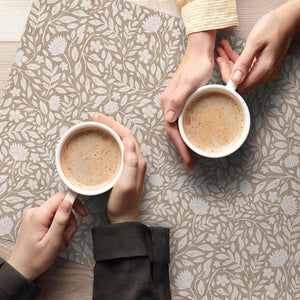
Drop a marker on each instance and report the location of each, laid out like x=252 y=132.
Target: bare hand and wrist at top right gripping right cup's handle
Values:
x=265 y=49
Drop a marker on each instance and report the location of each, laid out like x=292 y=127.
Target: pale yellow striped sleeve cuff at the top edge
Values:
x=202 y=15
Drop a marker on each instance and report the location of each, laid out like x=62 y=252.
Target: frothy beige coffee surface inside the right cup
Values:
x=213 y=122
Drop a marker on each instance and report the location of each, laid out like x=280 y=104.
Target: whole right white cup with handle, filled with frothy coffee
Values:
x=215 y=121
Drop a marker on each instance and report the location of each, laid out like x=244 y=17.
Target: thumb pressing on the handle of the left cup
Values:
x=60 y=222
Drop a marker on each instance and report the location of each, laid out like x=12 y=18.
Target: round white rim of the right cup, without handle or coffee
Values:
x=242 y=138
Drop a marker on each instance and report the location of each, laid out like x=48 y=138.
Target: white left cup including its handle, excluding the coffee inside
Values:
x=74 y=190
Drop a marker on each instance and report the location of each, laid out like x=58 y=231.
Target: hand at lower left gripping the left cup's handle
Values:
x=44 y=231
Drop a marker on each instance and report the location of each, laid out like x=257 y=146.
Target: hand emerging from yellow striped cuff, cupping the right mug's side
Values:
x=194 y=71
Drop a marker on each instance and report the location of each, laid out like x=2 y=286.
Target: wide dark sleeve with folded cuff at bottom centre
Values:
x=131 y=262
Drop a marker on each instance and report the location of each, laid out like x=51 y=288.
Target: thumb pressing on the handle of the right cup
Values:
x=243 y=64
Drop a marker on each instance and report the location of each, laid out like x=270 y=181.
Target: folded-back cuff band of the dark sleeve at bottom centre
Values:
x=131 y=239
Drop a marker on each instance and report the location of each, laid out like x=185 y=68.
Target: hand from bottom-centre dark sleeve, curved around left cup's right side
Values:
x=124 y=200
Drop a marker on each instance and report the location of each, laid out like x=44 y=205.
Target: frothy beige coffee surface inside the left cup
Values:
x=90 y=158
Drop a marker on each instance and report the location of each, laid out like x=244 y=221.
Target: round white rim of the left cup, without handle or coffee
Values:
x=60 y=144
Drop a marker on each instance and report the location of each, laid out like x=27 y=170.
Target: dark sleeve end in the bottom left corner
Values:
x=13 y=285
